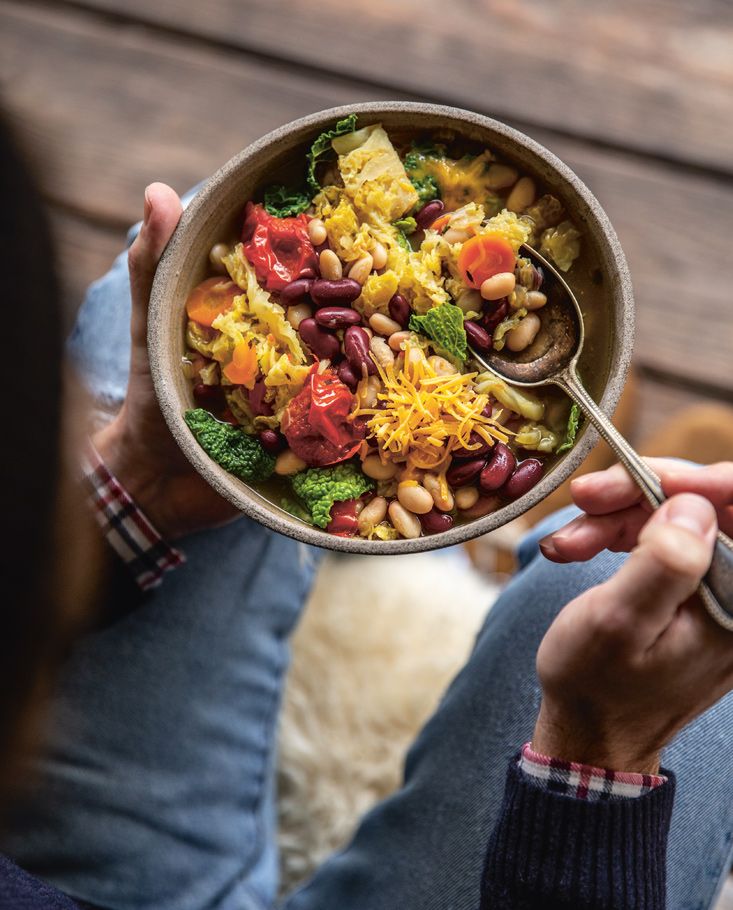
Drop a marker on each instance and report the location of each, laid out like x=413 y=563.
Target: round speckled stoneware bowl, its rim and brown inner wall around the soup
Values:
x=600 y=277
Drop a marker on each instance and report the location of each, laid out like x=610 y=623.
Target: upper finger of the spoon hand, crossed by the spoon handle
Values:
x=606 y=491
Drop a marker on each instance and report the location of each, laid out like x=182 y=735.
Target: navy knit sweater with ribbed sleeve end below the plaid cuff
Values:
x=547 y=850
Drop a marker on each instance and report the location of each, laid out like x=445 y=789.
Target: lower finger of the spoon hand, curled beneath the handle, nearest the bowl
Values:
x=586 y=536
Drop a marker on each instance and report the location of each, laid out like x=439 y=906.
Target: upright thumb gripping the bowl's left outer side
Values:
x=161 y=214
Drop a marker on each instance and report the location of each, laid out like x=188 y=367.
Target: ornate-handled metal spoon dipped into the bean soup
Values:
x=552 y=358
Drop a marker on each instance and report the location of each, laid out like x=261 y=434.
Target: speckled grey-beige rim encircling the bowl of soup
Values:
x=256 y=506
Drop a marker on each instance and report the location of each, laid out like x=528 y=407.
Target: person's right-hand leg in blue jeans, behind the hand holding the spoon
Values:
x=423 y=848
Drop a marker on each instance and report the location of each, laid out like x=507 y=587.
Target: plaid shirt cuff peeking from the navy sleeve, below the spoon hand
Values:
x=585 y=781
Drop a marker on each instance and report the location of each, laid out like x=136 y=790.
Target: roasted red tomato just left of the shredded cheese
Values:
x=315 y=422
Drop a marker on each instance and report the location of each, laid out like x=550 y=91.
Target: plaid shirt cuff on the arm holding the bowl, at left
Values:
x=124 y=526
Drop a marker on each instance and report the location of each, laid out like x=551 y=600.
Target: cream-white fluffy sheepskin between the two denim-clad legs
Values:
x=380 y=640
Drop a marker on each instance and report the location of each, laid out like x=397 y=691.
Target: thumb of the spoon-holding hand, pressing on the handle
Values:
x=674 y=552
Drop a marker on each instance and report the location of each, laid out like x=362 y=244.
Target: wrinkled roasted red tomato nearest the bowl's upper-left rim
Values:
x=278 y=248
